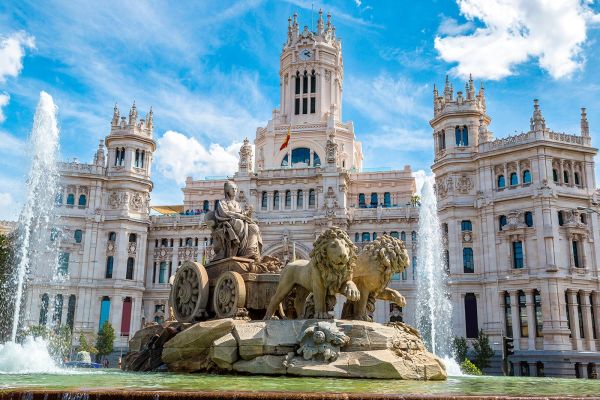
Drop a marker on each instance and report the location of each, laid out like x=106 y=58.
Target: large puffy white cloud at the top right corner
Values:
x=515 y=31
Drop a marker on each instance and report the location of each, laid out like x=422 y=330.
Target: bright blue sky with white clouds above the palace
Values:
x=210 y=71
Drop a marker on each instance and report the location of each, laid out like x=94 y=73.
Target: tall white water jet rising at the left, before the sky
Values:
x=37 y=214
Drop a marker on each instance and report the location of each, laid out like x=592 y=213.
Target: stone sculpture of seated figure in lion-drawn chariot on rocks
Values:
x=314 y=344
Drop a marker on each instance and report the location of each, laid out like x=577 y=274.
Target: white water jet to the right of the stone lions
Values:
x=434 y=309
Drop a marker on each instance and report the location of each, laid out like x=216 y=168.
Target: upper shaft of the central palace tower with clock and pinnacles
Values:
x=311 y=73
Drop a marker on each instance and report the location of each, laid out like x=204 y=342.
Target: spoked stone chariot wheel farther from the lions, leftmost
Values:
x=189 y=293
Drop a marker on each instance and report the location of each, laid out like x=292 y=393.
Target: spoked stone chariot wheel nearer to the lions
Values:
x=229 y=296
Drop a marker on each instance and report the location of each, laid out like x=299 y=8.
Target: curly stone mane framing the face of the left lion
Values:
x=333 y=278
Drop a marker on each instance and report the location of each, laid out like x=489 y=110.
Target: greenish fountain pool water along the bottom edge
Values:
x=83 y=380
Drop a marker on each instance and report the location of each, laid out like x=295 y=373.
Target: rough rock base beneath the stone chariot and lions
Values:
x=393 y=351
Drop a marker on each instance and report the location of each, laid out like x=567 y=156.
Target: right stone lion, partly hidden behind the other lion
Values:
x=374 y=268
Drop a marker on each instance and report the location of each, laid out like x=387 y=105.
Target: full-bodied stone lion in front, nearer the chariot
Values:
x=328 y=272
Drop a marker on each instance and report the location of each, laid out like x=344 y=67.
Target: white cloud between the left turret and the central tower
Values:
x=179 y=156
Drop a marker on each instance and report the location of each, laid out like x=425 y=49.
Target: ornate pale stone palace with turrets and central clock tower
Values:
x=521 y=232
